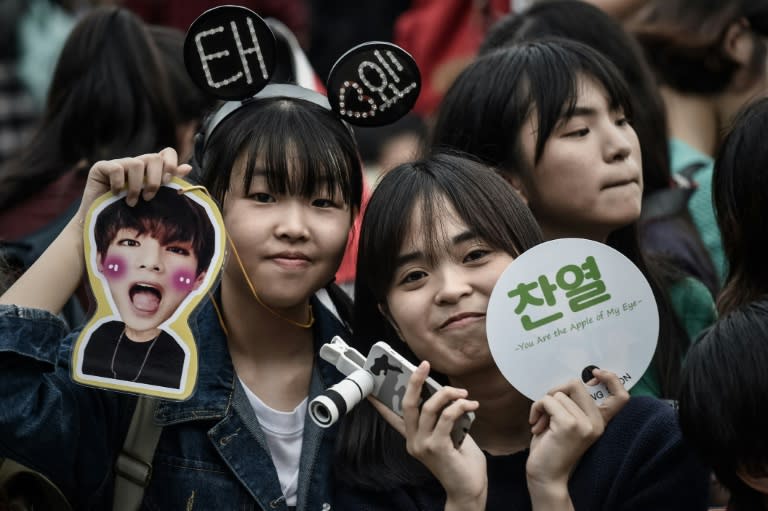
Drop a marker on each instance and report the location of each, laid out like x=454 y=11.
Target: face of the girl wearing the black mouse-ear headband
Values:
x=290 y=245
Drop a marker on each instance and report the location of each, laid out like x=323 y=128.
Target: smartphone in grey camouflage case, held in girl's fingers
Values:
x=391 y=372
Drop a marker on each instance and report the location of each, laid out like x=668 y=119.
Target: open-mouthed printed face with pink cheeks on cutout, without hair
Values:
x=148 y=279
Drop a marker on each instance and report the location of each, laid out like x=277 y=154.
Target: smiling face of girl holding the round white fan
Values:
x=438 y=304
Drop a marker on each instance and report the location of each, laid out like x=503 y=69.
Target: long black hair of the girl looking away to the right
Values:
x=485 y=109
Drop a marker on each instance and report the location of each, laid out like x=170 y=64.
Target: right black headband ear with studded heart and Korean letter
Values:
x=374 y=84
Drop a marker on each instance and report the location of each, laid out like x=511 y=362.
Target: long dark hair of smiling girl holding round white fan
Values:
x=370 y=453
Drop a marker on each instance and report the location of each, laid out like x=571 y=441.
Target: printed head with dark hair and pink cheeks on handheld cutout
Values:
x=152 y=256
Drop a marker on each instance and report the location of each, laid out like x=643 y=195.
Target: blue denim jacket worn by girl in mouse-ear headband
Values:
x=212 y=453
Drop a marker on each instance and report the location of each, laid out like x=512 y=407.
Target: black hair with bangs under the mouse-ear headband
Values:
x=299 y=147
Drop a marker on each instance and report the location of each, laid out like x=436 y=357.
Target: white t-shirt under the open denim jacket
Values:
x=284 y=432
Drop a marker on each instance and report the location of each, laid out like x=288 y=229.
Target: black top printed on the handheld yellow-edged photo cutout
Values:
x=111 y=354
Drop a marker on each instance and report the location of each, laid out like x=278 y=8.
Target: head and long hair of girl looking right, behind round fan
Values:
x=552 y=118
